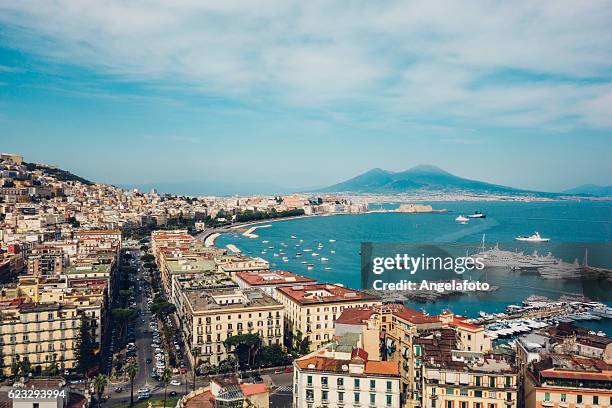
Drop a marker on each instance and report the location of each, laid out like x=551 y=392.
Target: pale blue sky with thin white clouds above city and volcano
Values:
x=309 y=93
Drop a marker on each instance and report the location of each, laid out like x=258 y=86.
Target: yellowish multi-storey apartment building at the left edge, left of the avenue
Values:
x=42 y=334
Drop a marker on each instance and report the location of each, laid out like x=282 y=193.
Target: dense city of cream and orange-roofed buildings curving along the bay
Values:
x=119 y=298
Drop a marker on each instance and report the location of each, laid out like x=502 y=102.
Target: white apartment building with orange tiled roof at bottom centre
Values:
x=342 y=375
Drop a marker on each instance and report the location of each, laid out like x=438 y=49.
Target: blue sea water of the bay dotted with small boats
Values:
x=561 y=221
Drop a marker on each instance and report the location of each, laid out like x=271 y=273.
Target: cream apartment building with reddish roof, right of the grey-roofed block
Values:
x=312 y=310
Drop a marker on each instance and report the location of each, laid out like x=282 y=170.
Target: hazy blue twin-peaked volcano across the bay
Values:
x=422 y=177
